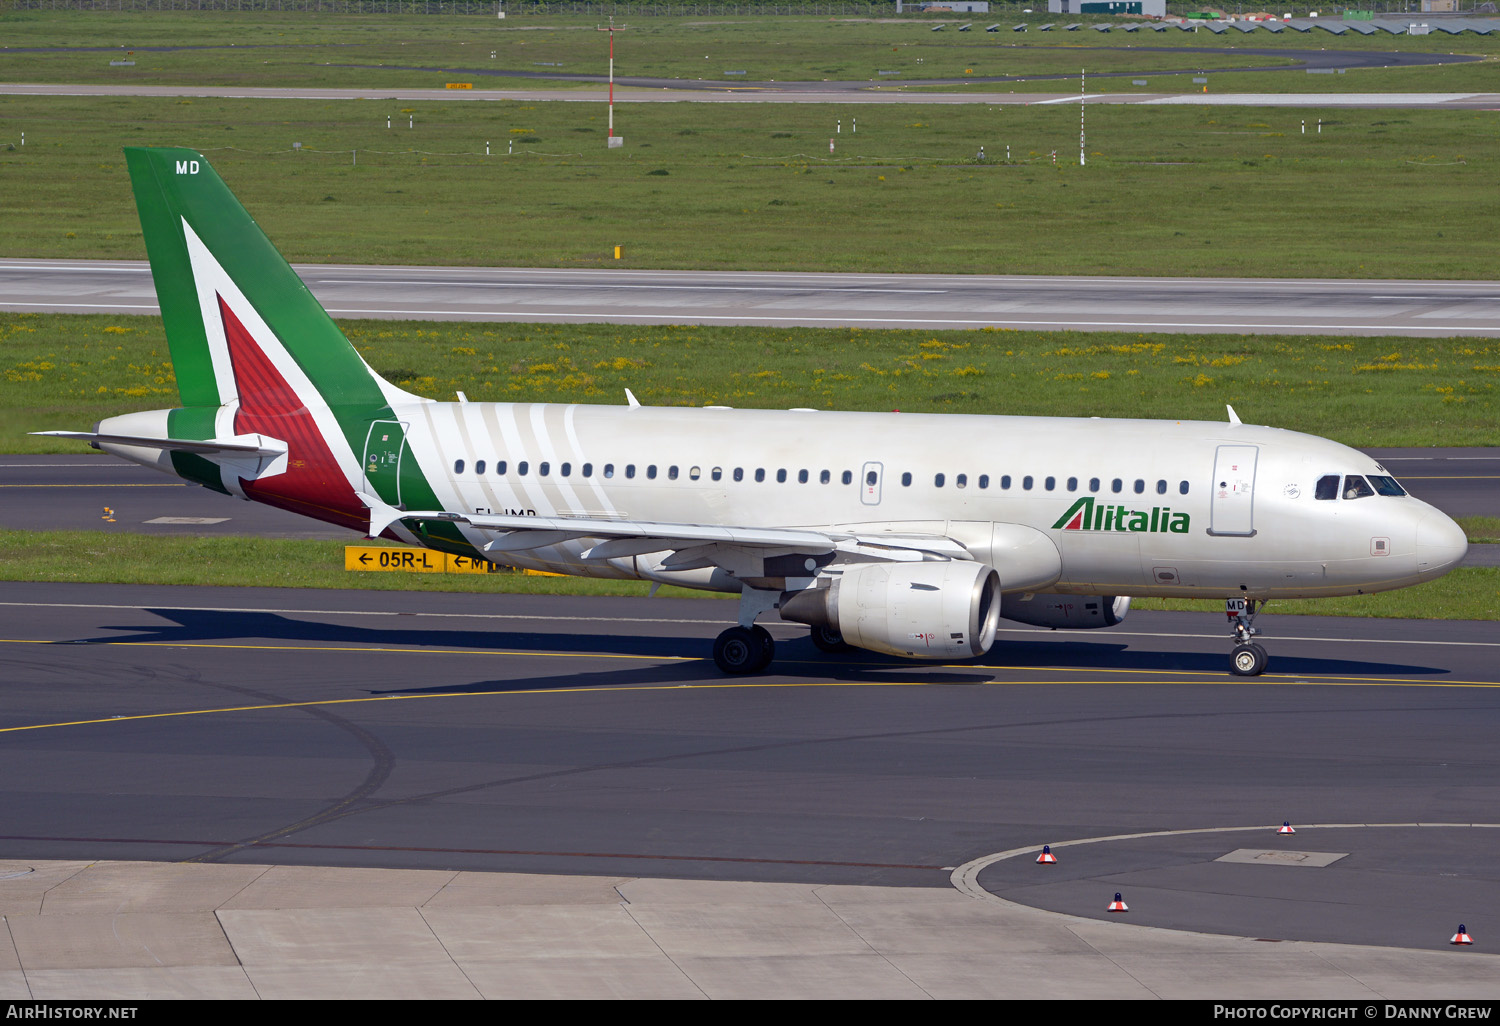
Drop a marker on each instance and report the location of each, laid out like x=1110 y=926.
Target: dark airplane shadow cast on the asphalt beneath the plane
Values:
x=797 y=659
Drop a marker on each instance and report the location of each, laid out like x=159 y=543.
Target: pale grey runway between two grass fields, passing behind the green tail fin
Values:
x=1264 y=307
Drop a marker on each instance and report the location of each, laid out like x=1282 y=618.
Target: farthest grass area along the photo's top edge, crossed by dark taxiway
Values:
x=425 y=52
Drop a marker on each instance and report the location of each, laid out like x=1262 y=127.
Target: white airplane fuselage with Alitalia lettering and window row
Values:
x=1072 y=506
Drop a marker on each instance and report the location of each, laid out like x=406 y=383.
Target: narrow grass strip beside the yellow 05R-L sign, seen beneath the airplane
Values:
x=98 y=557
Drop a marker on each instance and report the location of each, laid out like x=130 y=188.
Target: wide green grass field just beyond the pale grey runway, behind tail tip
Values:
x=1166 y=191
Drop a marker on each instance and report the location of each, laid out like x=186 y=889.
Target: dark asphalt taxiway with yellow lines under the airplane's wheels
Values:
x=595 y=737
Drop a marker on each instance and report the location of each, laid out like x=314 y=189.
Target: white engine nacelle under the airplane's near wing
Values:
x=947 y=610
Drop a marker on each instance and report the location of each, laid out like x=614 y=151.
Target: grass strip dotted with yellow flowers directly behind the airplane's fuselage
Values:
x=65 y=373
